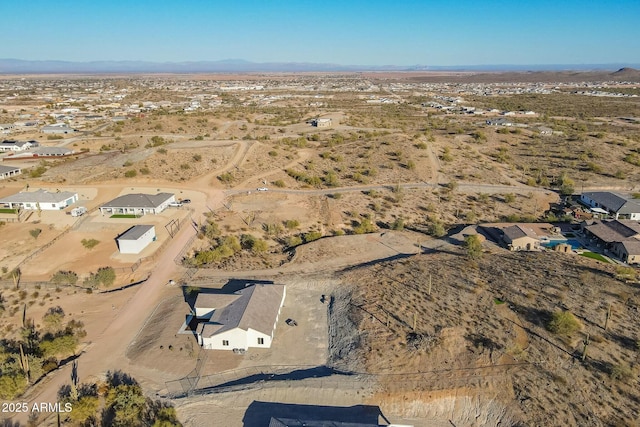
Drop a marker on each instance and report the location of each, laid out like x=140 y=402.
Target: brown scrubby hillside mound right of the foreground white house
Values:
x=483 y=328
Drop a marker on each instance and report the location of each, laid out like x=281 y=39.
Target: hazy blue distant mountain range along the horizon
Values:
x=19 y=66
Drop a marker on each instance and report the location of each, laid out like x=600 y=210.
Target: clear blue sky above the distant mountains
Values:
x=347 y=32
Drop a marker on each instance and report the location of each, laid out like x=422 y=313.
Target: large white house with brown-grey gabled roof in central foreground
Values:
x=247 y=318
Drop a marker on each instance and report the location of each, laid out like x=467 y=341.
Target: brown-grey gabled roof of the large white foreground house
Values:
x=255 y=307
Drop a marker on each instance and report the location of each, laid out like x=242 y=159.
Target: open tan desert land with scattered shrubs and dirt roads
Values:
x=364 y=216
